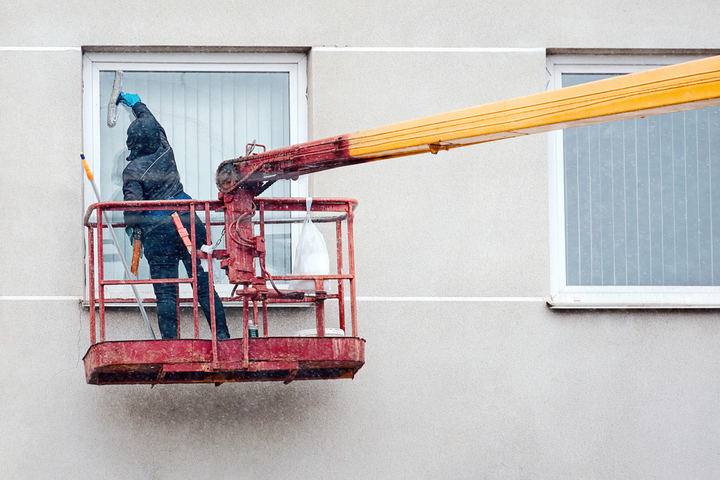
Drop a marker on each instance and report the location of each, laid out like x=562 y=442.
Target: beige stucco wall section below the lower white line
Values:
x=491 y=390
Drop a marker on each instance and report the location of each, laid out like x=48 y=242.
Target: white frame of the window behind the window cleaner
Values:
x=295 y=64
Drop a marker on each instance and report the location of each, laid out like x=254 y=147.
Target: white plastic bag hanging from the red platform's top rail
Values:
x=311 y=257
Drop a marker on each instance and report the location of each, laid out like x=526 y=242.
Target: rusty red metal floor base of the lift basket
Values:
x=191 y=361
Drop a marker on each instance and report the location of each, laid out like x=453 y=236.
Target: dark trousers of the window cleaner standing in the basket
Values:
x=164 y=251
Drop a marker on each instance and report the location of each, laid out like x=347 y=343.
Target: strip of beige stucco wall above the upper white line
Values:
x=399 y=23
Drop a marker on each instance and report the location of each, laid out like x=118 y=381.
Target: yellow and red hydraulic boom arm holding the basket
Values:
x=675 y=88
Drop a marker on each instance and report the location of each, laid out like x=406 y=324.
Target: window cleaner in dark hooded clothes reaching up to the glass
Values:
x=153 y=175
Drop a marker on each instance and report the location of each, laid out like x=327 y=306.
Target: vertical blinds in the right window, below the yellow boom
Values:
x=642 y=199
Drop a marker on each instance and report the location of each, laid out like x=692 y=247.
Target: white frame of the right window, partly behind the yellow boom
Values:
x=571 y=296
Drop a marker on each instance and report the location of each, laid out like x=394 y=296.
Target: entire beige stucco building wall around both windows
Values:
x=488 y=388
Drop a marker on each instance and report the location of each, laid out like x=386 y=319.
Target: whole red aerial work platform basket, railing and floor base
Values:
x=265 y=358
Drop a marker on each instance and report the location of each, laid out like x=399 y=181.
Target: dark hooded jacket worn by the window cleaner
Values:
x=152 y=173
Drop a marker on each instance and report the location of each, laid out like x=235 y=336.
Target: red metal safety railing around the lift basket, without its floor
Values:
x=256 y=297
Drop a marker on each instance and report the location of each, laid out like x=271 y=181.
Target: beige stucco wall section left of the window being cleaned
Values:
x=40 y=130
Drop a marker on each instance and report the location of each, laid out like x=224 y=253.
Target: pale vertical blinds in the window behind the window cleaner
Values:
x=209 y=117
